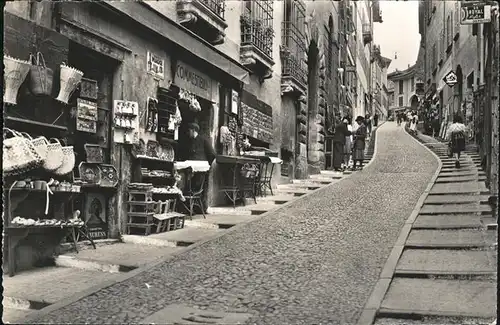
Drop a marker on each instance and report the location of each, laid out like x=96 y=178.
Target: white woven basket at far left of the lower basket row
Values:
x=19 y=154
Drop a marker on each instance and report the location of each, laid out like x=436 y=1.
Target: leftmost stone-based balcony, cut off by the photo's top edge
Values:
x=204 y=17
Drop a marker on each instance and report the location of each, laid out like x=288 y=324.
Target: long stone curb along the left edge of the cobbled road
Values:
x=125 y=276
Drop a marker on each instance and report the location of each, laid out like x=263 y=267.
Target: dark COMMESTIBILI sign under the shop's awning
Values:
x=193 y=81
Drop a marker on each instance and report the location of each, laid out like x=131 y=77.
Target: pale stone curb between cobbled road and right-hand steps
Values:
x=373 y=303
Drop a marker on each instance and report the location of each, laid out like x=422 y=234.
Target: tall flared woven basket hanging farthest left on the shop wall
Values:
x=15 y=72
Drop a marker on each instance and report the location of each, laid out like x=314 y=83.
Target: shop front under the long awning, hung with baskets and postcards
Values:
x=125 y=62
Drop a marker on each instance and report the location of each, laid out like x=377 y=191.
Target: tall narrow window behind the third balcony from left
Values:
x=293 y=39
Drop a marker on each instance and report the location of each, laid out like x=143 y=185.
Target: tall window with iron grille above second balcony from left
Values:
x=257 y=26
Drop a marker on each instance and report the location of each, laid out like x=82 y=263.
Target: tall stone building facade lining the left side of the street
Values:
x=274 y=72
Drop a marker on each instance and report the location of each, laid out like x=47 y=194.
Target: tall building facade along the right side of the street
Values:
x=471 y=52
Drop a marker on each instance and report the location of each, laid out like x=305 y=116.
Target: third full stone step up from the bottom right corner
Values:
x=446 y=239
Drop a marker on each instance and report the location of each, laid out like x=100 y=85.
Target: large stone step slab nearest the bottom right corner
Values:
x=441 y=297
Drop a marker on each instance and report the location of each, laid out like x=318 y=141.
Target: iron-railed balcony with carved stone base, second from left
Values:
x=256 y=49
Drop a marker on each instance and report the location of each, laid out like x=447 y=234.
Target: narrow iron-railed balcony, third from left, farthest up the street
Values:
x=293 y=74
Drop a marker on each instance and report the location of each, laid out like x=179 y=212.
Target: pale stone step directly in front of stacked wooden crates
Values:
x=182 y=237
